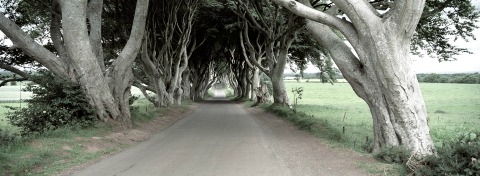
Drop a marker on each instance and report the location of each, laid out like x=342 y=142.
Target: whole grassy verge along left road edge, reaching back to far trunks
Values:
x=65 y=149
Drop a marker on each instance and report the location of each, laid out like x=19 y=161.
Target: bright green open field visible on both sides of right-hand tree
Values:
x=452 y=109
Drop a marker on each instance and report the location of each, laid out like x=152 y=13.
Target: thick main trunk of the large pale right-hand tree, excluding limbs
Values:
x=394 y=97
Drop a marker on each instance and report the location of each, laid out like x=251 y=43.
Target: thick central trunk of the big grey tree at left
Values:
x=90 y=75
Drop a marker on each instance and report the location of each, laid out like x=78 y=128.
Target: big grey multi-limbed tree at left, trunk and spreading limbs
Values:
x=78 y=47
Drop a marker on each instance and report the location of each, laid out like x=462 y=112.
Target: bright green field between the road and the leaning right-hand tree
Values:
x=339 y=107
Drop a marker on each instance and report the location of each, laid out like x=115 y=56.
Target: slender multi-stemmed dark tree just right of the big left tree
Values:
x=169 y=45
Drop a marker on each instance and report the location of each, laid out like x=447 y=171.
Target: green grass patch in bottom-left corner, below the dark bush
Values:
x=49 y=153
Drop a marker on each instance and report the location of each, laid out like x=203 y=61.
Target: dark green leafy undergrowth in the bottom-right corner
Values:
x=457 y=157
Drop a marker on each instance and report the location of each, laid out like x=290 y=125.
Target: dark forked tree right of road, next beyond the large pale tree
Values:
x=279 y=30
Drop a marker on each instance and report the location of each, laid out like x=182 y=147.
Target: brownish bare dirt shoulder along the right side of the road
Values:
x=305 y=154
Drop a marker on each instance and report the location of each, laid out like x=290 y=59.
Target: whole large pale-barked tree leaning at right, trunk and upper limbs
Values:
x=382 y=74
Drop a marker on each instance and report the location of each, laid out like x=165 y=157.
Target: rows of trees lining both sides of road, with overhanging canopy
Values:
x=179 y=49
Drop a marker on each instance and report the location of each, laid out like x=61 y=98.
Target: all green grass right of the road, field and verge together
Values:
x=336 y=113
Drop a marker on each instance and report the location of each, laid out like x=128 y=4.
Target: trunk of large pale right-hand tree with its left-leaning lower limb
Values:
x=385 y=79
